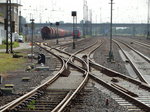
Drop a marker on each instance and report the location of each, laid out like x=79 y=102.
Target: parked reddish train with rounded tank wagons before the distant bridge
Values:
x=51 y=33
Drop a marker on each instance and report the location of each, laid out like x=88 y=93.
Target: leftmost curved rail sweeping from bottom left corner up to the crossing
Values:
x=32 y=95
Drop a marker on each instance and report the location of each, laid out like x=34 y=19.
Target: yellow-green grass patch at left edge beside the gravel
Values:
x=7 y=63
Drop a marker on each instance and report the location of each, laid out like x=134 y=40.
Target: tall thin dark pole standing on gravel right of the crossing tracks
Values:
x=111 y=57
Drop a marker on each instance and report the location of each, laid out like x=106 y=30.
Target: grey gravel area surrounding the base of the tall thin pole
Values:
x=101 y=55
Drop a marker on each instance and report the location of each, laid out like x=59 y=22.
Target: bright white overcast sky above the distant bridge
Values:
x=124 y=11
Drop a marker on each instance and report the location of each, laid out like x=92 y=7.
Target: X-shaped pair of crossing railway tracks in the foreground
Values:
x=119 y=85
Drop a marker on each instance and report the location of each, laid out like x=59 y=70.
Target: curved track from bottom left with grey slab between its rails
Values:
x=30 y=100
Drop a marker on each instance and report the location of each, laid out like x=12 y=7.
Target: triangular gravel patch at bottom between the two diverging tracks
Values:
x=94 y=101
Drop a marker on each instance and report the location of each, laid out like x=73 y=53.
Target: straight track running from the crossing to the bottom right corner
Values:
x=121 y=88
